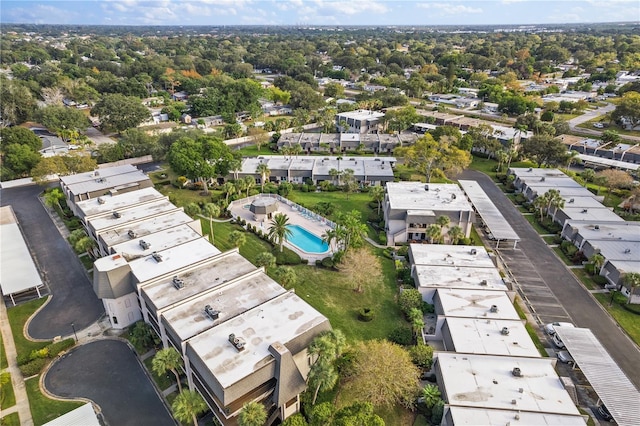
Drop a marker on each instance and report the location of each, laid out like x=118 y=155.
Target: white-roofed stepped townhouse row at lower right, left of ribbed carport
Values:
x=486 y=365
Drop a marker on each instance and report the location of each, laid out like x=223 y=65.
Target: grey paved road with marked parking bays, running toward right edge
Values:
x=553 y=290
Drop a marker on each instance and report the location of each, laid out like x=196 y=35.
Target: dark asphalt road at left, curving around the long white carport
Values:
x=73 y=298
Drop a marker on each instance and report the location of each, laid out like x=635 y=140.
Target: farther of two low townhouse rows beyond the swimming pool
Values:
x=335 y=143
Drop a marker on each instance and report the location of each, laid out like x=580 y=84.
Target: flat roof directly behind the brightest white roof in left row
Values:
x=157 y=241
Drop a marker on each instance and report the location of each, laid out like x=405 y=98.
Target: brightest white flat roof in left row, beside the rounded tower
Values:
x=173 y=259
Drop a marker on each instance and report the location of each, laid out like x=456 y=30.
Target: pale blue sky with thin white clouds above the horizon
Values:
x=318 y=12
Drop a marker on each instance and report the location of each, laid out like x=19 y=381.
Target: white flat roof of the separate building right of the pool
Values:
x=415 y=196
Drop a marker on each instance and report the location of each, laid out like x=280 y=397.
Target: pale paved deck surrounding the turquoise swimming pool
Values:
x=316 y=227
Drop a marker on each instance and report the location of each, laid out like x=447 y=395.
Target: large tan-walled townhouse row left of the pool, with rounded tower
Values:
x=242 y=336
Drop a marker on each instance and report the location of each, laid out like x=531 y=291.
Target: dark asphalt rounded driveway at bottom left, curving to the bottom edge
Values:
x=109 y=373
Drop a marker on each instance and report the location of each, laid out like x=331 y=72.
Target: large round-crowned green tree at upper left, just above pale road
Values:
x=119 y=112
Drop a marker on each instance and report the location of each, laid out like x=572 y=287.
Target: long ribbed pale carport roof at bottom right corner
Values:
x=607 y=379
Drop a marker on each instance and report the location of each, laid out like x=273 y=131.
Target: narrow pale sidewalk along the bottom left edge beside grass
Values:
x=22 y=402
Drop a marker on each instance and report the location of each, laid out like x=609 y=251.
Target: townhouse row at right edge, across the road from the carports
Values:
x=591 y=226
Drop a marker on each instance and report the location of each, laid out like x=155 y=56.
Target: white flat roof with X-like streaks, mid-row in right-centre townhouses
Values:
x=476 y=304
